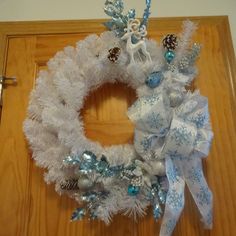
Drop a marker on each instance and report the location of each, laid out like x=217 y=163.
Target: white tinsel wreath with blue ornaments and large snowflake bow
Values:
x=172 y=130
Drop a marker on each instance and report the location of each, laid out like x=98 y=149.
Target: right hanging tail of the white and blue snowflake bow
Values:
x=199 y=189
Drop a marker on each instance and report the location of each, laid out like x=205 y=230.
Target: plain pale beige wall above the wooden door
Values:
x=14 y=10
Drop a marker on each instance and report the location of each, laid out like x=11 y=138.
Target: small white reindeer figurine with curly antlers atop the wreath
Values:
x=133 y=28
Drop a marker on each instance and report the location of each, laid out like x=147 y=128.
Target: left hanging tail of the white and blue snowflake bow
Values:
x=175 y=197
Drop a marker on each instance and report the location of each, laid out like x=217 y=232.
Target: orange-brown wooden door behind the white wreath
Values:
x=30 y=207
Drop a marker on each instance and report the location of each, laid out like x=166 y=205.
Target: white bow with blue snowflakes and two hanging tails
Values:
x=181 y=136
